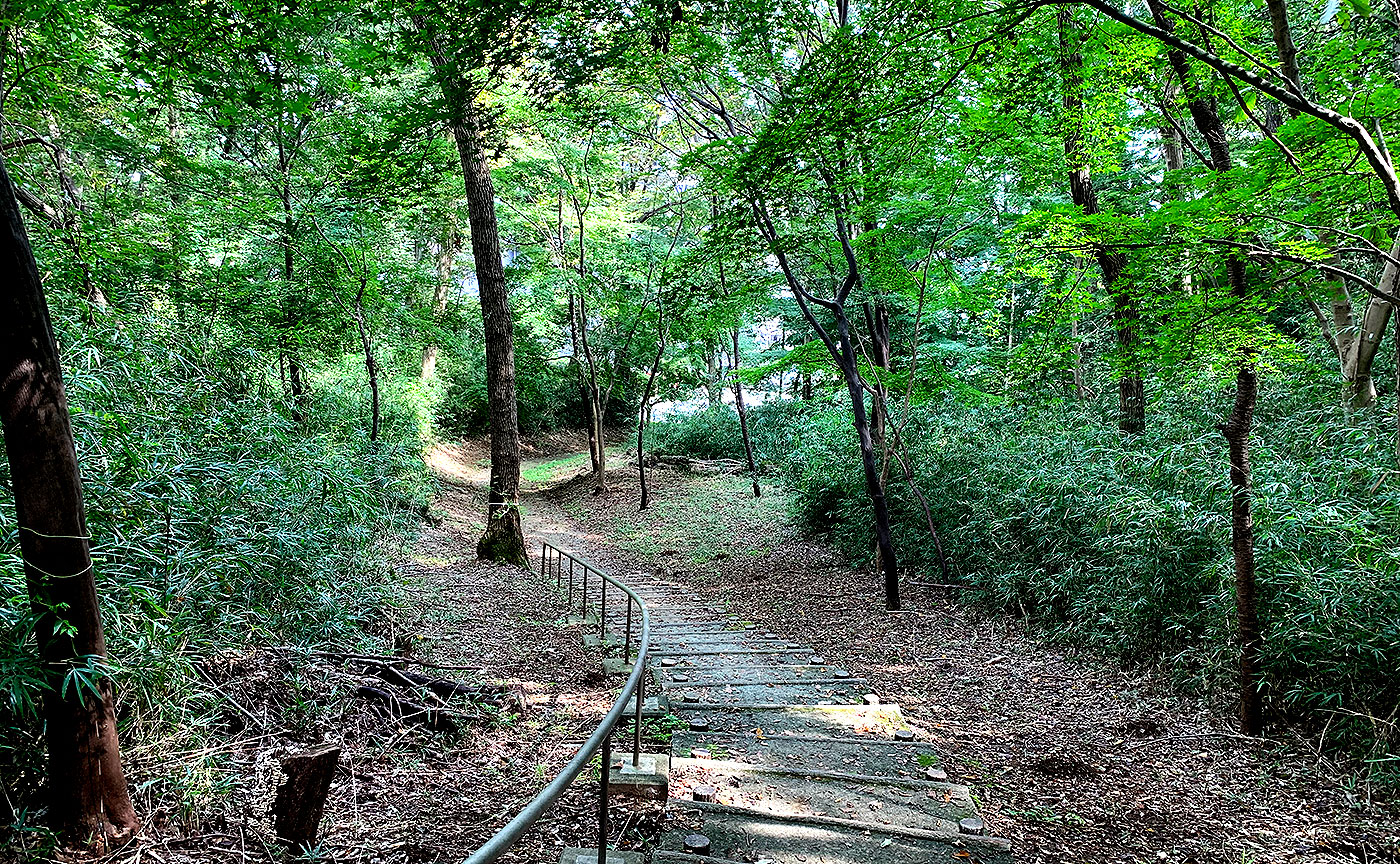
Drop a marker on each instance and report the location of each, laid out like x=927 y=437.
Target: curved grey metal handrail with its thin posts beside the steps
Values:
x=601 y=740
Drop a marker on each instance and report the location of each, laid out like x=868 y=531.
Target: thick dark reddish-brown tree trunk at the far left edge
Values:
x=87 y=788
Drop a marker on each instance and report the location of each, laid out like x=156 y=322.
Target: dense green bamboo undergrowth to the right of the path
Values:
x=1123 y=543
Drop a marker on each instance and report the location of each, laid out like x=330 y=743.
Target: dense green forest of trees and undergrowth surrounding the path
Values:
x=1069 y=316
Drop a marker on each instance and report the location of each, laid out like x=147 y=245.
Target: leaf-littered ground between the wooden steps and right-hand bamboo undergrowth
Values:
x=1069 y=757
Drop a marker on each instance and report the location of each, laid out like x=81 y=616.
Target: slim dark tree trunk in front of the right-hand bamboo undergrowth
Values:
x=1241 y=422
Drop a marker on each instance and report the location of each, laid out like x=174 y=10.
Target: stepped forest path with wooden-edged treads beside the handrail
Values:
x=779 y=755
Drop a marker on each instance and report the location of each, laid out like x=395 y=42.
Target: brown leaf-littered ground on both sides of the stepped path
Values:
x=1067 y=757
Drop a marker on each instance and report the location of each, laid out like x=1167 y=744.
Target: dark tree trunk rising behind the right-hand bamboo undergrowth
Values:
x=1132 y=394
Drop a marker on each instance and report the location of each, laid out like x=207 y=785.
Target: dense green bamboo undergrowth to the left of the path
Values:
x=219 y=523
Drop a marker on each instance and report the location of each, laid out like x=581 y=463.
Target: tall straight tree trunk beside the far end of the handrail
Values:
x=503 y=540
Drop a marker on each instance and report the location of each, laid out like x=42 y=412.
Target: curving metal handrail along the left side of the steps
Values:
x=507 y=837
